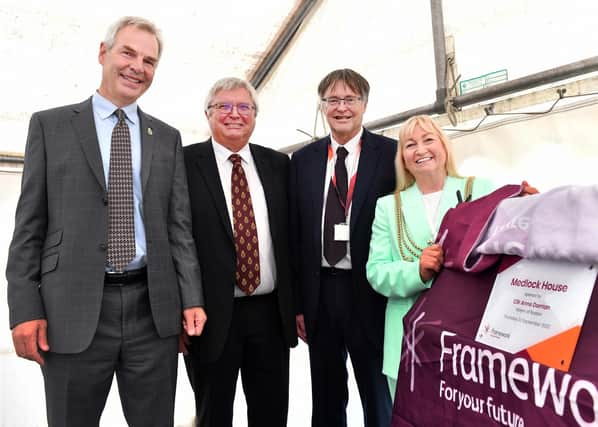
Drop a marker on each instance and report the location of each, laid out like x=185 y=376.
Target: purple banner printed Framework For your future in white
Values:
x=446 y=378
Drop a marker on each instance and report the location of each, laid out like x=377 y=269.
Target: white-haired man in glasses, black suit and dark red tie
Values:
x=239 y=206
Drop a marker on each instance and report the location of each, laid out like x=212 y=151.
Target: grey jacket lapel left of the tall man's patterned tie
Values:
x=85 y=128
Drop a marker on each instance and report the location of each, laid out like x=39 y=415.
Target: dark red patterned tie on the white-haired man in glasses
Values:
x=246 y=244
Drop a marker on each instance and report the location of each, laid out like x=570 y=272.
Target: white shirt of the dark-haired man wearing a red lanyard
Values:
x=353 y=148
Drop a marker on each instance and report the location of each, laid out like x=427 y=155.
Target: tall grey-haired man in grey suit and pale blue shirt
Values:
x=80 y=311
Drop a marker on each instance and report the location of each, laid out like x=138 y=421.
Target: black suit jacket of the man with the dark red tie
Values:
x=214 y=240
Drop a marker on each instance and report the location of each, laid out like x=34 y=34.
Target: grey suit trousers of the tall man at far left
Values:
x=126 y=344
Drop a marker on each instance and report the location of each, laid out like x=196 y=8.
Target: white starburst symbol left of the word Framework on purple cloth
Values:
x=413 y=336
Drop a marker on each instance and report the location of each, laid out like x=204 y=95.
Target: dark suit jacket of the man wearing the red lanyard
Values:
x=375 y=178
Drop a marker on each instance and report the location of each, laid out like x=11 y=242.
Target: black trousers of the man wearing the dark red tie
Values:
x=255 y=346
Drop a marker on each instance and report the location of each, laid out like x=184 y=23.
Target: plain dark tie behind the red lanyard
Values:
x=335 y=250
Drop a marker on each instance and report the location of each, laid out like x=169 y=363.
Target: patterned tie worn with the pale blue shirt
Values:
x=121 y=225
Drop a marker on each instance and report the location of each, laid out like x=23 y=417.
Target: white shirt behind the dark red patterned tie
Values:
x=260 y=210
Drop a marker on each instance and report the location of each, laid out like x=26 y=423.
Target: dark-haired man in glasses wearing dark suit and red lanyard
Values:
x=334 y=185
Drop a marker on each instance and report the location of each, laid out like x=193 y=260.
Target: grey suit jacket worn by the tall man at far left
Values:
x=57 y=256
